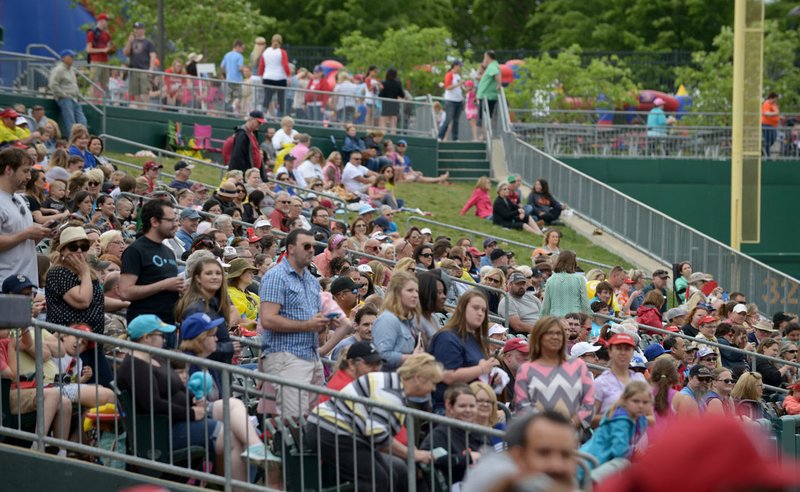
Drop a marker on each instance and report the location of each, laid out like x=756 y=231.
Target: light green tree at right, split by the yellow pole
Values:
x=710 y=80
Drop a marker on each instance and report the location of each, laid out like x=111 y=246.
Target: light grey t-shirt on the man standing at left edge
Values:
x=21 y=259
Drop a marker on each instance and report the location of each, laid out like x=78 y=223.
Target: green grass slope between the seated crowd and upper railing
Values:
x=445 y=202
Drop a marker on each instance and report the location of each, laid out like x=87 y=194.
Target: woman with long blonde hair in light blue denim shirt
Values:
x=396 y=333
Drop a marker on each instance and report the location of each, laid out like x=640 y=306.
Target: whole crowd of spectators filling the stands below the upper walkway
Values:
x=405 y=317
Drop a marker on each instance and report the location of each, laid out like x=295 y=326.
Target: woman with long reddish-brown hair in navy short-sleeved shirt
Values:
x=462 y=345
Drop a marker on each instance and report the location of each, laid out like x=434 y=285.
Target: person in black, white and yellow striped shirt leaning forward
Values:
x=360 y=436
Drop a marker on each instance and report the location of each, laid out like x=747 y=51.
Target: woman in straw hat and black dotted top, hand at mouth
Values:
x=74 y=295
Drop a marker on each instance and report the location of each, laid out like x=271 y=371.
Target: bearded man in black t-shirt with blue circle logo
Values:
x=149 y=277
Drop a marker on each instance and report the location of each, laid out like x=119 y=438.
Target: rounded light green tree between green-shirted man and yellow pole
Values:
x=554 y=82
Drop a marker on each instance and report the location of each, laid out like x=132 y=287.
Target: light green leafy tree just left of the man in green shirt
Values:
x=418 y=54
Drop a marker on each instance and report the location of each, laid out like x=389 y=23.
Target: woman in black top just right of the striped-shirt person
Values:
x=462 y=447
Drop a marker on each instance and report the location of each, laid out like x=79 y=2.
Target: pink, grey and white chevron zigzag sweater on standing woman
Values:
x=566 y=388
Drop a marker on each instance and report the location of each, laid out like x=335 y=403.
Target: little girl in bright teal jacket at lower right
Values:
x=622 y=425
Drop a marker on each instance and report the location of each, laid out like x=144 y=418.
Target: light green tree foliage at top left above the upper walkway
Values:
x=202 y=26
